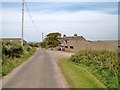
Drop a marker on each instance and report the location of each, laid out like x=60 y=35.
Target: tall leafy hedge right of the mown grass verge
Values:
x=103 y=64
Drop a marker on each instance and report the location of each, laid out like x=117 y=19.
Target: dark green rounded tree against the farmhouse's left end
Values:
x=52 y=39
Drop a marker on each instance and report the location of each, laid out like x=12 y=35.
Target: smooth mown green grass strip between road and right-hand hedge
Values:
x=78 y=77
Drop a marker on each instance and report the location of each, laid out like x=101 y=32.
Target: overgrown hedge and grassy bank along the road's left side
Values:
x=15 y=57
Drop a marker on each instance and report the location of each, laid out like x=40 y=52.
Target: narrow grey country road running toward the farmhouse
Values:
x=41 y=71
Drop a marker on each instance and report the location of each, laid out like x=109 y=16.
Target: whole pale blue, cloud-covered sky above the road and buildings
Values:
x=93 y=20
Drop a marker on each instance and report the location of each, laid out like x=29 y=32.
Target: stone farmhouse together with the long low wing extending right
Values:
x=77 y=43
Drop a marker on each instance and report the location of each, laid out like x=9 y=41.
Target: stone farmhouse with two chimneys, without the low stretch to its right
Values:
x=72 y=43
